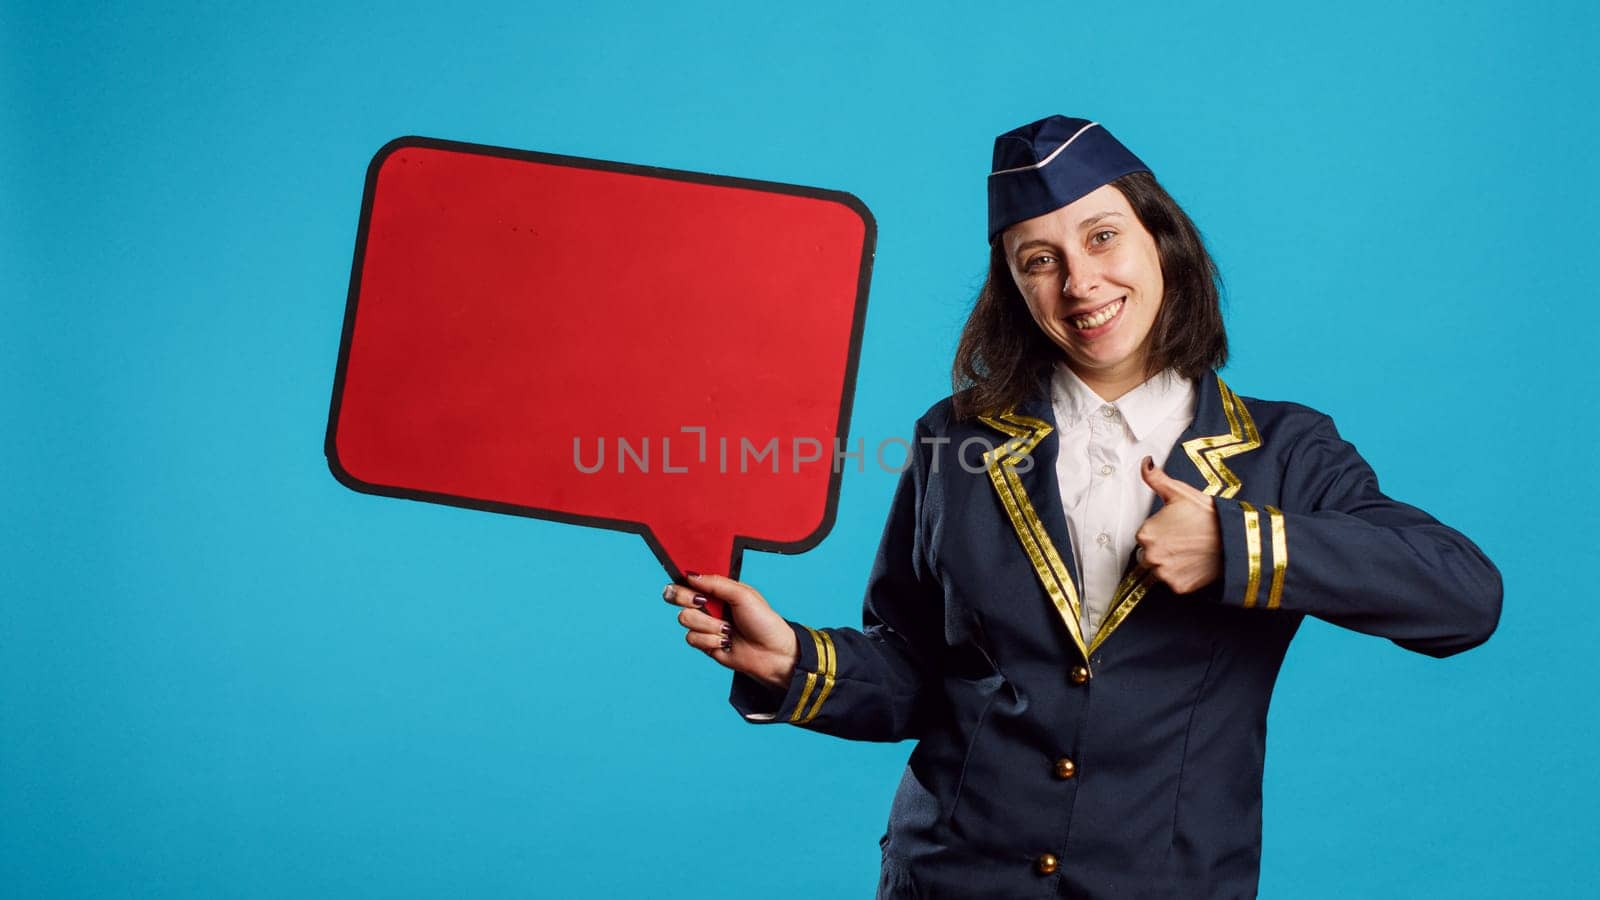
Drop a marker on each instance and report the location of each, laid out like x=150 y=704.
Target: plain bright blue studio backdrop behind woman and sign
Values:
x=225 y=675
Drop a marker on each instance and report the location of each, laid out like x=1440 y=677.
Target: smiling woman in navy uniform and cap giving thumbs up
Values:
x=1095 y=565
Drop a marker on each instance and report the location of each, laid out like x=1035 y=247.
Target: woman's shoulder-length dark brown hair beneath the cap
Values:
x=1004 y=356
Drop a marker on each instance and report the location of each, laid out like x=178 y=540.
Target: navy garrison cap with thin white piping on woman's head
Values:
x=1049 y=164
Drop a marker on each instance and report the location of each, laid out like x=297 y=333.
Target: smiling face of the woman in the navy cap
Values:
x=1092 y=278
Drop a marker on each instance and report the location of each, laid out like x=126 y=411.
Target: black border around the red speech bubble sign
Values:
x=740 y=542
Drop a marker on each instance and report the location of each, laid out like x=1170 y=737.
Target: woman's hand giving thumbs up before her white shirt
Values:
x=1183 y=542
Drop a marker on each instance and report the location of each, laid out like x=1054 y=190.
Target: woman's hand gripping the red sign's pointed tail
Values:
x=753 y=640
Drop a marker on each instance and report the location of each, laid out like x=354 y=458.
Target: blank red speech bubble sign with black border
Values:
x=599 y=344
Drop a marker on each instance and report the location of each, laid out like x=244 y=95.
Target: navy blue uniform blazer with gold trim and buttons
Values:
x=1129 y=765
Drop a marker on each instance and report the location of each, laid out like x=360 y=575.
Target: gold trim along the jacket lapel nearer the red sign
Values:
x=1025 y=435
